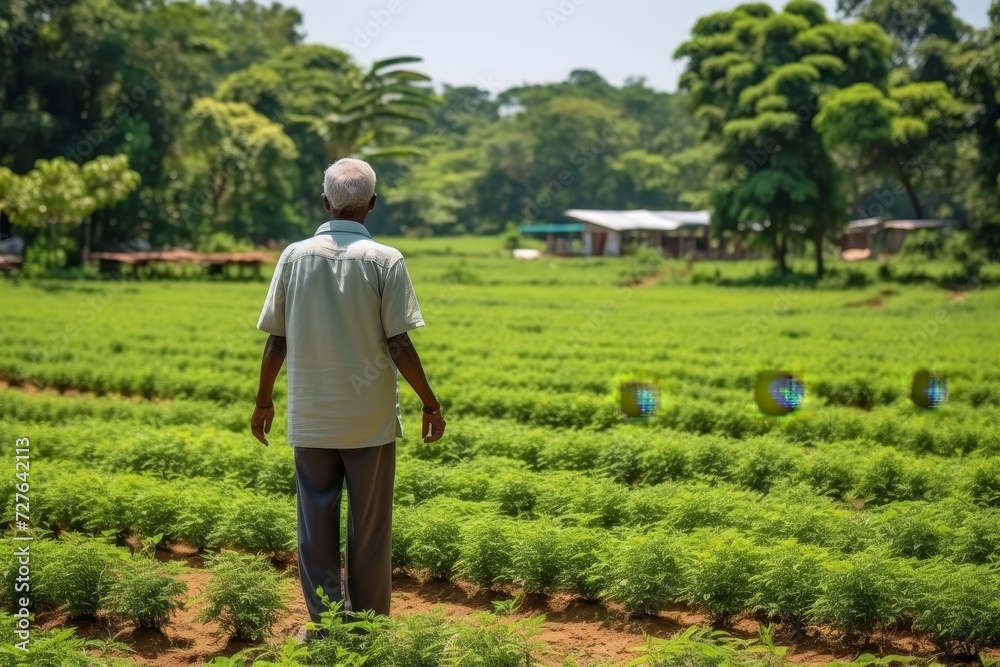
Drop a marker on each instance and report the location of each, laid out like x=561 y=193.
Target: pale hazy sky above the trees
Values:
x=502 y=43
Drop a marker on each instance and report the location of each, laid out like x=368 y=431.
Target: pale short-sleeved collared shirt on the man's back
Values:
x=336 y=297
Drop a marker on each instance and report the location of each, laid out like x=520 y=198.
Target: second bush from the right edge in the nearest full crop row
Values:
x=862 y=593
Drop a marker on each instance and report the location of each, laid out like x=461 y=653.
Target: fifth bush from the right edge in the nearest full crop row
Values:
x=644 y=572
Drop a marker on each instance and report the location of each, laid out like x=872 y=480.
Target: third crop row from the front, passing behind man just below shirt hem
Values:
x=126 y=441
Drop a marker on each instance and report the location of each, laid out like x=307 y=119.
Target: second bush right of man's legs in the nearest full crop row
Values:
x=487 y=551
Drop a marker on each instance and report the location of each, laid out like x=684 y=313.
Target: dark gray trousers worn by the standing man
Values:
x=320 y=475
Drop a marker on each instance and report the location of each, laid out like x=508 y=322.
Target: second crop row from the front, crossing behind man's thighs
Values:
x=212 y=513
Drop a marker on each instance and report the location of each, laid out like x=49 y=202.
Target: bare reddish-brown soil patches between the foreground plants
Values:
x=592 y=634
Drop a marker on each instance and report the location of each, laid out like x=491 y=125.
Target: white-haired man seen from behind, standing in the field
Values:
x=338 y=309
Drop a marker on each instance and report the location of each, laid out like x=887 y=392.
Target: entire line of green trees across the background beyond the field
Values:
x=788 y=123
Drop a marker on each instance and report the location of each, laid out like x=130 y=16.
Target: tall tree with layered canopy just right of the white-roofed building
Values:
x=756 y=77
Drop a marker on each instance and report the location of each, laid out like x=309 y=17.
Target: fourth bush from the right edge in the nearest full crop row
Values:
x=718 y=571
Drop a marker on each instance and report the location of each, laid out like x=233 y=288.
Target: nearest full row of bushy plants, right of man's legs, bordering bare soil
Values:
x=722 y=572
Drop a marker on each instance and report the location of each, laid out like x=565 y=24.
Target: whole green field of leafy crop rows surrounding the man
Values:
x=860 y=519
